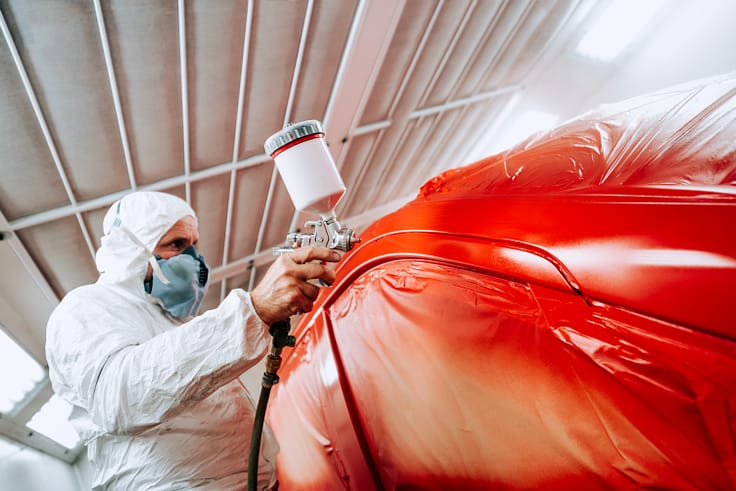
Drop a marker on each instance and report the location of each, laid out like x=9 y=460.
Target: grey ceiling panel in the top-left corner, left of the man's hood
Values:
x=64 y=64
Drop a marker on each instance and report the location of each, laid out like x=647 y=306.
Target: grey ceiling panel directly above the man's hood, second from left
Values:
x=144 y=53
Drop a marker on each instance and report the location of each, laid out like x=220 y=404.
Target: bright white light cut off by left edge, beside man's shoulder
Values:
x=19 y=374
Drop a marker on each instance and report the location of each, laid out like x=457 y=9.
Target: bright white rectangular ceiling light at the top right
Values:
x=616 y=27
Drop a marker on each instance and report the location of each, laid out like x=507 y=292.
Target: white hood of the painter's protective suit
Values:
x=147 y=216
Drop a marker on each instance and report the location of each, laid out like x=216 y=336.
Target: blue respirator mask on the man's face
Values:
x=180 y=283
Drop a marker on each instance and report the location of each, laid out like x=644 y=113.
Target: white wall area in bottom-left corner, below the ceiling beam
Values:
x=26 y=469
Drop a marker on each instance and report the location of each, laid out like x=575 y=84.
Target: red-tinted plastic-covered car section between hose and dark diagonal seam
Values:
x=322 y=450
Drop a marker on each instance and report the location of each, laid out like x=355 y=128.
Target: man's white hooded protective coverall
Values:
x=156 y=400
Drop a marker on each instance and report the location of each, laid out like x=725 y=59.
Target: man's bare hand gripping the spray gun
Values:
x=285 y=288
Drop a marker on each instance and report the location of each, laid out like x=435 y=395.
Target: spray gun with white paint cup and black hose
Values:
x=314 y=184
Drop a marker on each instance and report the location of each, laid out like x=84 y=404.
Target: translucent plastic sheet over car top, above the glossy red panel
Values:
x=682 y=135
